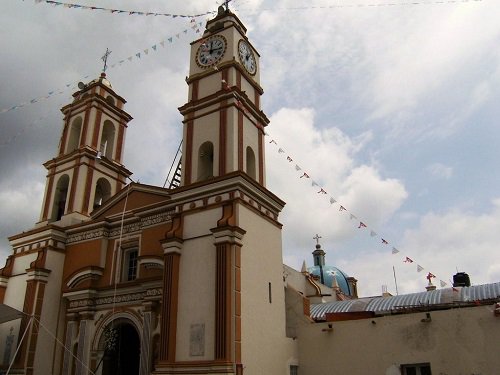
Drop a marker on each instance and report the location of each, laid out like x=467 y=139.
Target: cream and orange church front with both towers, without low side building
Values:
x=137 y=279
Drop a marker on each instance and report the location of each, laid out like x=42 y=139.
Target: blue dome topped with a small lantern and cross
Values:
x=326 y=273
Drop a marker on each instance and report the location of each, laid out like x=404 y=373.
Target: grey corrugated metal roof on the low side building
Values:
x=392 y=303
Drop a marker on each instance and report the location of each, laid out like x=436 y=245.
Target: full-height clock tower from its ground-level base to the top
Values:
x=223 y=303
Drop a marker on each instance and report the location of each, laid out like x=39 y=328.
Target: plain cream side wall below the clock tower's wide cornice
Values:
x=265 y=347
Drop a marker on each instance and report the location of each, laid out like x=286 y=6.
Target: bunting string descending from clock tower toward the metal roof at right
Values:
x=360 y=224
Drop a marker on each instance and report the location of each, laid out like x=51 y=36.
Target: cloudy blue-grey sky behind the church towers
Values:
x=384 y=120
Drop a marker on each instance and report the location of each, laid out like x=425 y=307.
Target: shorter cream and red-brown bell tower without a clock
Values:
x=88 y=167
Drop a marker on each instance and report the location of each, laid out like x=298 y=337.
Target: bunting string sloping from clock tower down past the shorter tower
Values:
x=194 y=26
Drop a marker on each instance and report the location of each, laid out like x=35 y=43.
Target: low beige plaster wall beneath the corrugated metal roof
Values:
x=459 y=341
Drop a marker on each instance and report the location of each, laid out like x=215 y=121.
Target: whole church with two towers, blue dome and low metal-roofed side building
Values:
x=119 y=277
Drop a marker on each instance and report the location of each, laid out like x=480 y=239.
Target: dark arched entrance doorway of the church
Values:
x=123 y=353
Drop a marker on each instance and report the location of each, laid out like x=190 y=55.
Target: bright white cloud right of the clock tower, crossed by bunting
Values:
x=327 y=156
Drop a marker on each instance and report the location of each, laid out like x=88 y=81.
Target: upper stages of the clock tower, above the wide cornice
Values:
x=223 y=122
